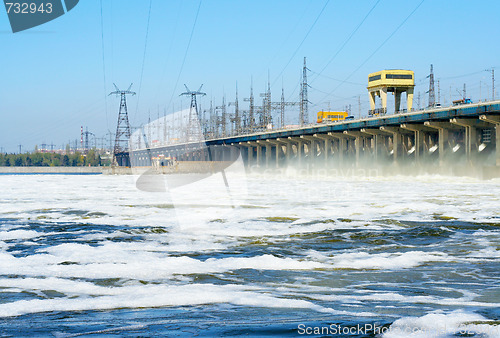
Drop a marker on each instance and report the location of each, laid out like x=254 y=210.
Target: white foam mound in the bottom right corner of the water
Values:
x=442 y=325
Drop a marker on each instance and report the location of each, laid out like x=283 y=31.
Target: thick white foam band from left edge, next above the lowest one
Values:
x=112 y=261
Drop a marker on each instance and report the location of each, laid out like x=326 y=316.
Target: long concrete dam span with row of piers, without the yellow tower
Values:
x=465 y=135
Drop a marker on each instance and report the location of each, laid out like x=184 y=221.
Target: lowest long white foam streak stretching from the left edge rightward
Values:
x=160 y=296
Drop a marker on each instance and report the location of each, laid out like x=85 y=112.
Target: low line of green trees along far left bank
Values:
x=37 y=159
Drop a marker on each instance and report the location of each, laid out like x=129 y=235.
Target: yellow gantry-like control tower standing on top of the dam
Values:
x=394 y=81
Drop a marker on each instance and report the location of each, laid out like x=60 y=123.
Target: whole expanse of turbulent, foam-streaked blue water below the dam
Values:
x=347 y=256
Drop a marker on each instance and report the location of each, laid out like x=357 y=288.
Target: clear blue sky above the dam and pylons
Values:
x=55 y=77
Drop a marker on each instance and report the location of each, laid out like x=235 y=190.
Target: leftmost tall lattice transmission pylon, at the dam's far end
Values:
x=120 y=153
